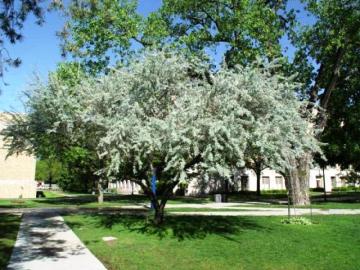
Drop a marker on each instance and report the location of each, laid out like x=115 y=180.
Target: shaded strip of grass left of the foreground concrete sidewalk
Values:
x=9 y=226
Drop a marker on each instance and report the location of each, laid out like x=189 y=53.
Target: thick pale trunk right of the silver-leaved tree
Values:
x=298 y=180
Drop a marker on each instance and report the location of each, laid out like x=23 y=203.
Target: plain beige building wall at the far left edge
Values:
x=17 y=172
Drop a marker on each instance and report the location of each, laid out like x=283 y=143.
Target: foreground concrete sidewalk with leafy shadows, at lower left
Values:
x=45 y=242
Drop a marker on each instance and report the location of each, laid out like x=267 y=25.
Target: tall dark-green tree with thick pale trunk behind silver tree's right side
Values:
x=332 y=42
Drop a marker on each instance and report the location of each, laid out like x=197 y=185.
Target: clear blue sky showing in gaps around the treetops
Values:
x=40 y=52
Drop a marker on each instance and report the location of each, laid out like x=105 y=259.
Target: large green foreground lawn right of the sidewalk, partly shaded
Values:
x=221 y=242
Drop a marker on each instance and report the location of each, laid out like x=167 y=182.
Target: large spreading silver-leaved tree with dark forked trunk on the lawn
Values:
x=167 y=113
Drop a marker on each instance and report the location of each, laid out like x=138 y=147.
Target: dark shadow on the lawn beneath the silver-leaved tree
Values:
x=179 y=227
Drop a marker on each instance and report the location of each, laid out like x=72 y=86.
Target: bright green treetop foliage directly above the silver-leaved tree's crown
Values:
x=100 y=33
